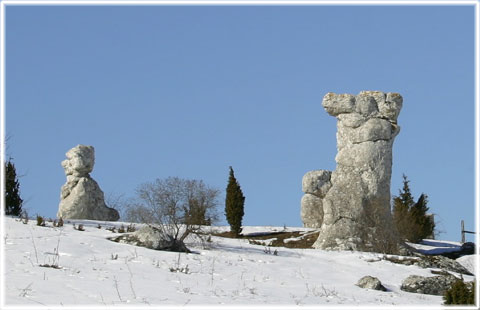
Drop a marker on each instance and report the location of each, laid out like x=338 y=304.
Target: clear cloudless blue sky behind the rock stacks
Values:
x=189 y=90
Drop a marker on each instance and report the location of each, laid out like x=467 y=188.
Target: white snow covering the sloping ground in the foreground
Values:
x=96 y=271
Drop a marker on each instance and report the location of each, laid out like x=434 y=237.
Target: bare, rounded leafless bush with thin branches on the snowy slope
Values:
x=175 y=207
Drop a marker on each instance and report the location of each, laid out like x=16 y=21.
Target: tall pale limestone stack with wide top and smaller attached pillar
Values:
x=350 y=203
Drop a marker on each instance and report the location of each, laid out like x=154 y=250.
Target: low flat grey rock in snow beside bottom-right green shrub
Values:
x=428 y=285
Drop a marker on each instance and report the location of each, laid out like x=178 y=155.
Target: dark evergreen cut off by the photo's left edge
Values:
x=13 y=202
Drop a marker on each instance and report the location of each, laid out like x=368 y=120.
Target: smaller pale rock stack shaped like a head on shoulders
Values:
x=81 y=197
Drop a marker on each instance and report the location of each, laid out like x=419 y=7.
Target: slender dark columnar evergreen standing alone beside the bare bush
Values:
x=234 y=202
